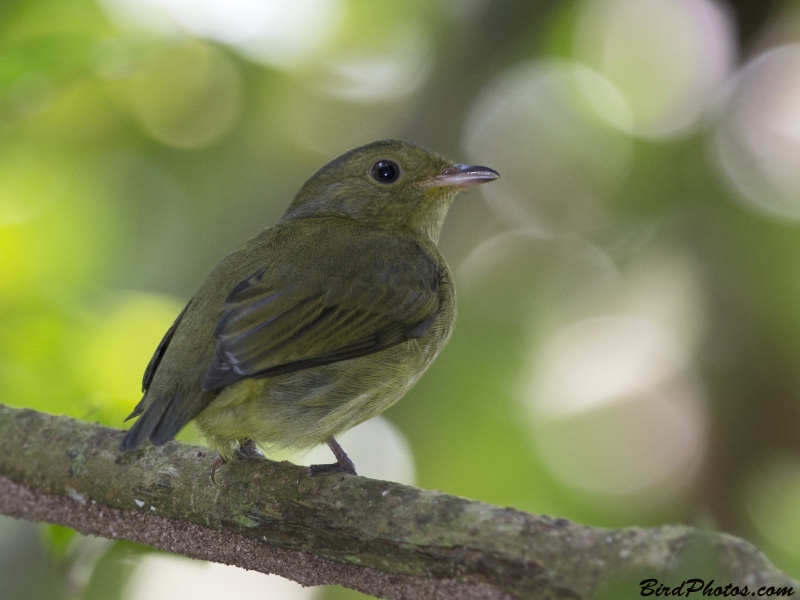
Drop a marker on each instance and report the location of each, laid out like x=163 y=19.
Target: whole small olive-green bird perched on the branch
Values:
x=317 y=323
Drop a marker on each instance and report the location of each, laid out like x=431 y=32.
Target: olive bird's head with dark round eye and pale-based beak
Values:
x=388 y=183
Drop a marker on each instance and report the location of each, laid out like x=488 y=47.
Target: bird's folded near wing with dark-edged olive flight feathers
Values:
x=282 y=319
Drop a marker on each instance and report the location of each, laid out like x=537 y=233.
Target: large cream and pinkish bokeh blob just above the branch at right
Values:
x=616 y=409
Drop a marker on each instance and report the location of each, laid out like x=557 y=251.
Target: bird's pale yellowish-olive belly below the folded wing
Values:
x=302 y=409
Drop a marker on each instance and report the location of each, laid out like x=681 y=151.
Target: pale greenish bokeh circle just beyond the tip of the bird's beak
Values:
x=552 y=128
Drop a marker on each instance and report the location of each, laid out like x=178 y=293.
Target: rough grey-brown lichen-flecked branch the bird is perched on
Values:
x=380 y=538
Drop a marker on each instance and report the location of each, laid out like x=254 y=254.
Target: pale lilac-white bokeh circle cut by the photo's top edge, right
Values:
x=668 y=58
